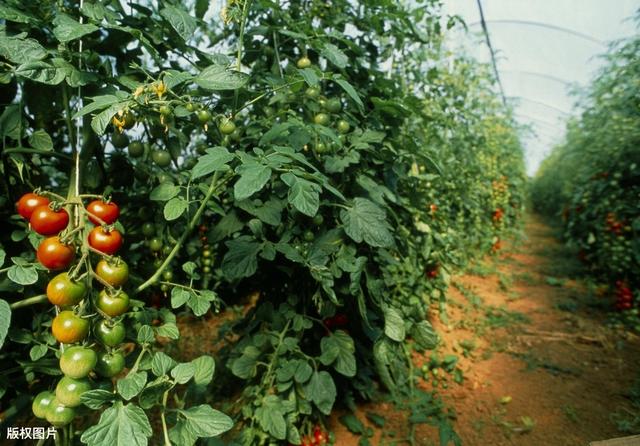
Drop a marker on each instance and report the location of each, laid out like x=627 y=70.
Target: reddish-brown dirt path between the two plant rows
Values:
x=541 y=367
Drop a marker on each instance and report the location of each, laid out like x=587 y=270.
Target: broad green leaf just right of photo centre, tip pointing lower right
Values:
x=366 y=221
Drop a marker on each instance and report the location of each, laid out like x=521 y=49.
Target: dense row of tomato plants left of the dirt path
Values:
x=266 y=155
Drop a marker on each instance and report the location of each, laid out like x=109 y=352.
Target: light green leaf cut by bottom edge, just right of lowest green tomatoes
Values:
x=119 y=425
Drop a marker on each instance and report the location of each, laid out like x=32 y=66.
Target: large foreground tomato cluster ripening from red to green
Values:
x=70 y=292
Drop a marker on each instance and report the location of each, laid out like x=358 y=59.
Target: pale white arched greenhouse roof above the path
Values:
x=543 y=51
